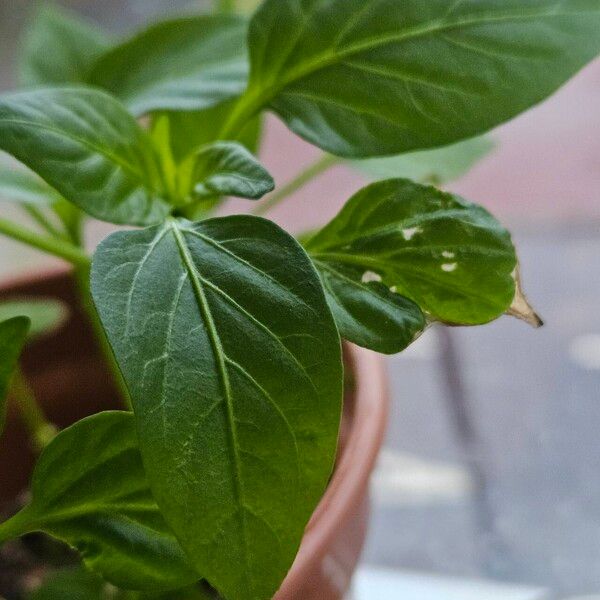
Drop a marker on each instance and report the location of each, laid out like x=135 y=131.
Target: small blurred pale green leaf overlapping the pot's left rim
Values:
x=46 y=315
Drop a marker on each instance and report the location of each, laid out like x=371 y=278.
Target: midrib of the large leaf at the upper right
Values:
x=330 y=57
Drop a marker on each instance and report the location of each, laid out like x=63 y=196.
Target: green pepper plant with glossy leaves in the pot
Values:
x=224 y=332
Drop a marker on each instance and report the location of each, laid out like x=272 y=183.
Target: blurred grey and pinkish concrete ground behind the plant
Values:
x=518 y=500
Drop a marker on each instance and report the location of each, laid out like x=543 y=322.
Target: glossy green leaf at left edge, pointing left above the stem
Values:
x=84 y=144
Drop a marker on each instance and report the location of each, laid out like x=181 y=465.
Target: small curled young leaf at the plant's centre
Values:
x=228 y=169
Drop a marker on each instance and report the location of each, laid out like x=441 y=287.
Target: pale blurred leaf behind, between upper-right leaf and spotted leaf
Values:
x=438 y=166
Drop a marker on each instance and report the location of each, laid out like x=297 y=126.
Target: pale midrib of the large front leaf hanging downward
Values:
x=221 y=360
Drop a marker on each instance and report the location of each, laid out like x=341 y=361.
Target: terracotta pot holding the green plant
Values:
x=71 y=381
